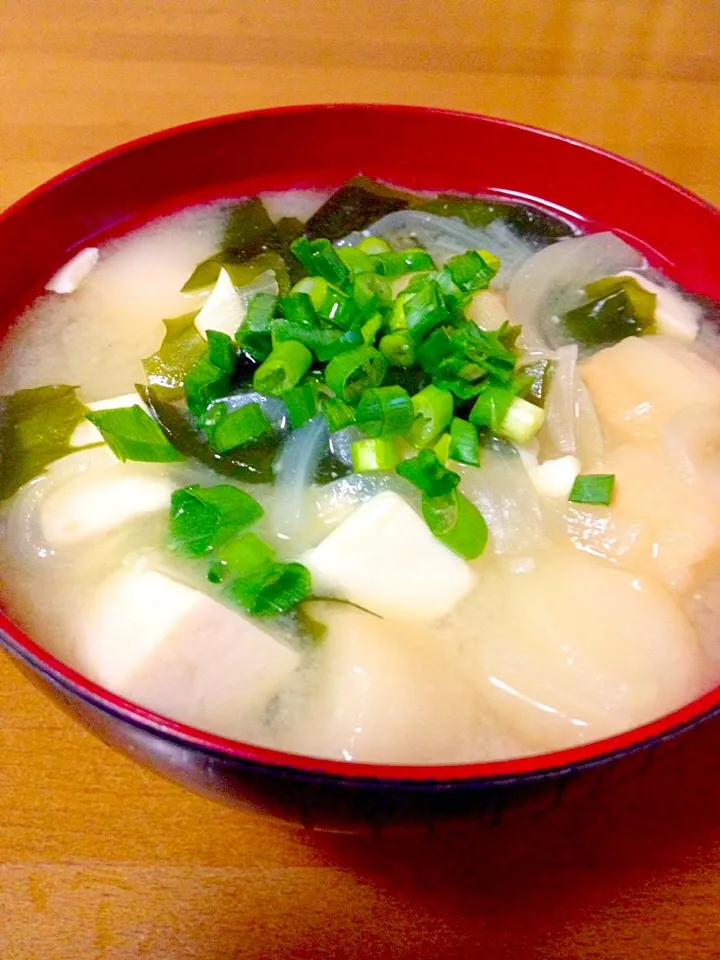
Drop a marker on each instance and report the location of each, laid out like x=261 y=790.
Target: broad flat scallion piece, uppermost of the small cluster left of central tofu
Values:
x=202 y=518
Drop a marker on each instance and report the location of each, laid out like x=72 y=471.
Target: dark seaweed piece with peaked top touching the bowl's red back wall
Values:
x=354 y=207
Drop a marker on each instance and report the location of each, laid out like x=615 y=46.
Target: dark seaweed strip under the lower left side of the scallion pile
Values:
x=251 y=463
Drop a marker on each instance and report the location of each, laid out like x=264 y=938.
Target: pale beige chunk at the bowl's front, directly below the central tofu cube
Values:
x=383 y=692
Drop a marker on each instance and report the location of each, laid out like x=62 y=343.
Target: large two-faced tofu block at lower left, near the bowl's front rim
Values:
x=179 y=652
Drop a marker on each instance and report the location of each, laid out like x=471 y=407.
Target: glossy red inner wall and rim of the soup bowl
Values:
x=323 y=146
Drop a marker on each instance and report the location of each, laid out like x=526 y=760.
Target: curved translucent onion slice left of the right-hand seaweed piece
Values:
x=551 y=282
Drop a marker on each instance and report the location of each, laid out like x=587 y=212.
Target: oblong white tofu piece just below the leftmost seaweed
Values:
x=95 y=502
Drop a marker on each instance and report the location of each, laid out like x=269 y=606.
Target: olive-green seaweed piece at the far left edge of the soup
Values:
x=35 y=430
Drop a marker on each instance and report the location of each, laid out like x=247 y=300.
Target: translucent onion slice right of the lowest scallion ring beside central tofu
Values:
x=502 y=491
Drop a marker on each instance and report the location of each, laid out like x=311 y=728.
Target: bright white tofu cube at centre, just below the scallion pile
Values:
x=384 y=558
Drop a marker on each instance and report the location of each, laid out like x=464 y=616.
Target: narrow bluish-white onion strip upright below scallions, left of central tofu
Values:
x=296 y=467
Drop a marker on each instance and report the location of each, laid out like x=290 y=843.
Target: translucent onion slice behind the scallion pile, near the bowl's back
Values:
x=445 y=237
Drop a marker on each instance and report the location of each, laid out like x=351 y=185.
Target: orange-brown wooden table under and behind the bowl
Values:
x=99 y=859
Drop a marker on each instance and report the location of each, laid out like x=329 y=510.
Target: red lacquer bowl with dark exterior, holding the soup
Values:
x=323 y=146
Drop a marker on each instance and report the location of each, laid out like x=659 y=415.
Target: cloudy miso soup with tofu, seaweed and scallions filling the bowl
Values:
x=352 y=511
